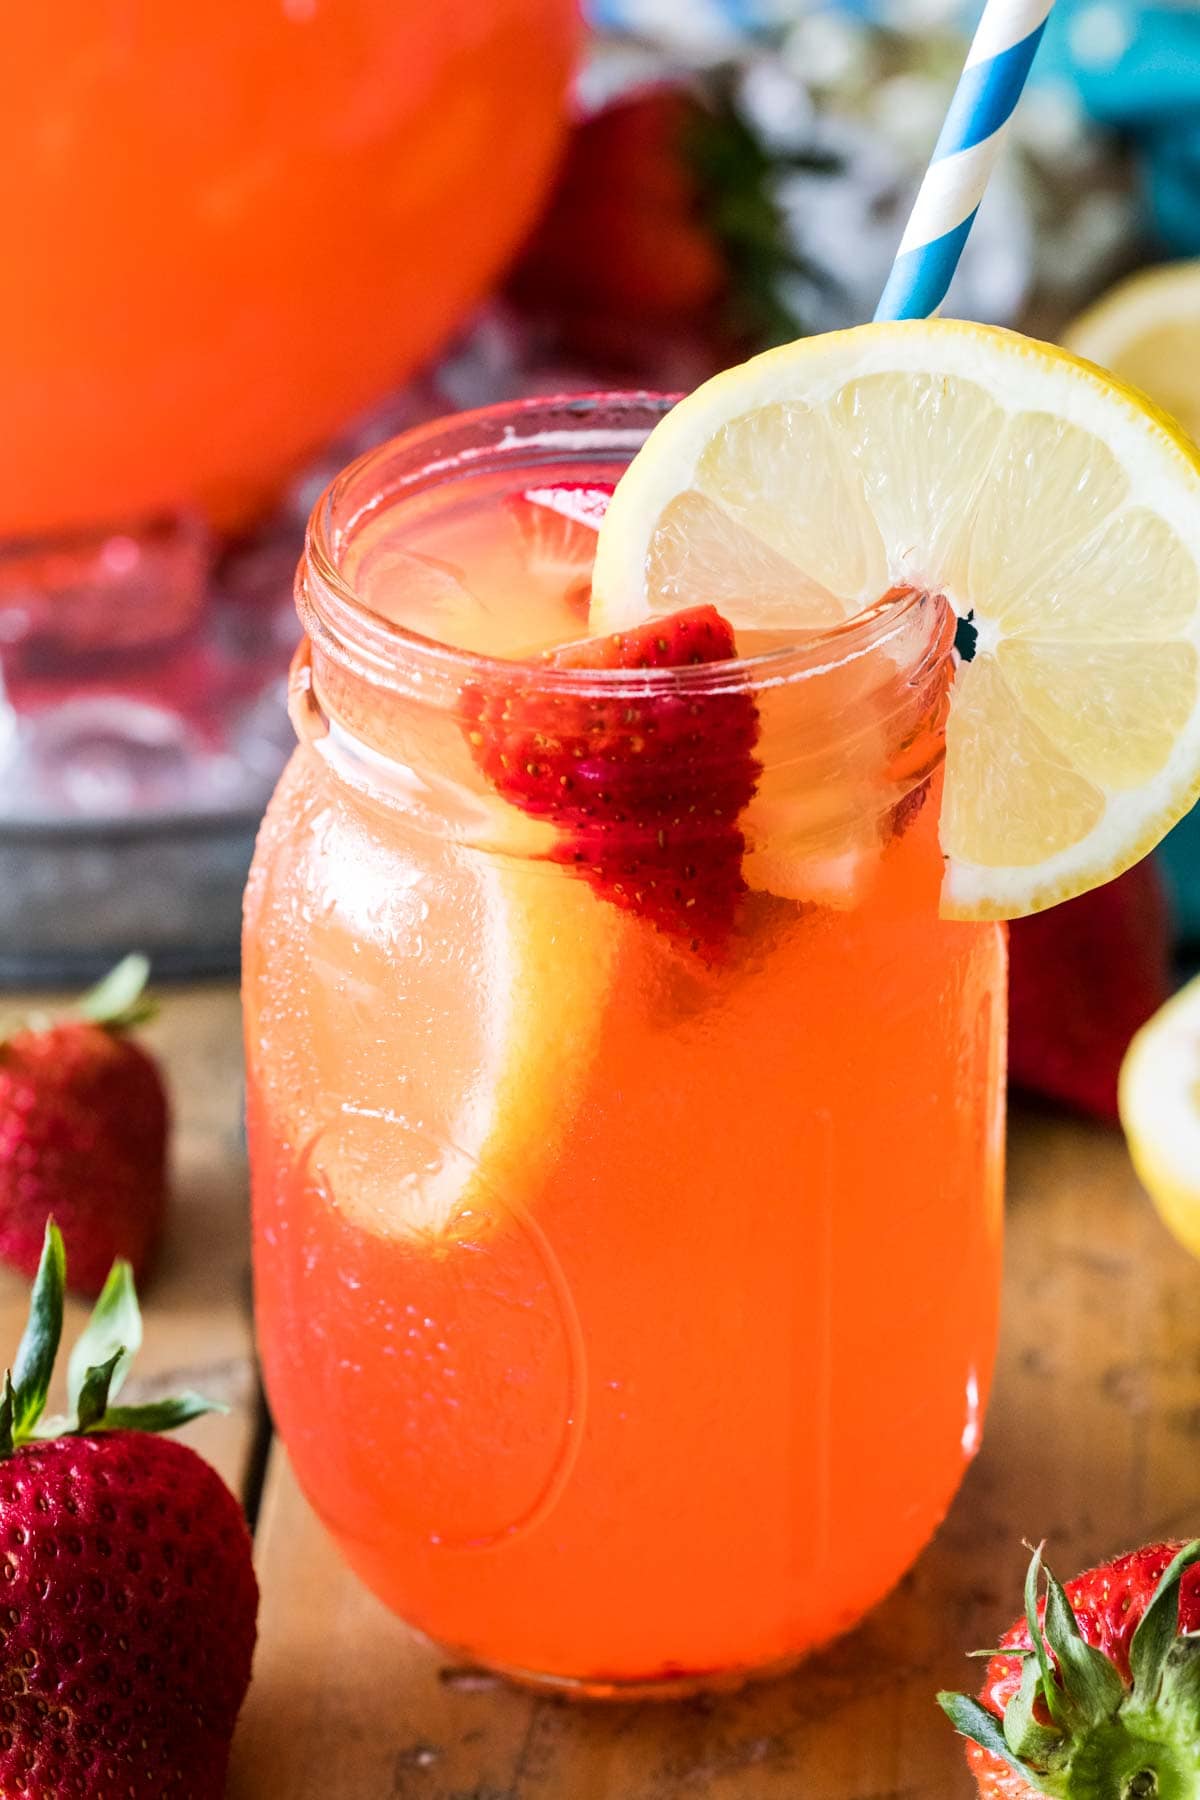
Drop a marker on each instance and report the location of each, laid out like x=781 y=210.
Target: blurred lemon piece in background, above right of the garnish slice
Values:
x=1147 y=330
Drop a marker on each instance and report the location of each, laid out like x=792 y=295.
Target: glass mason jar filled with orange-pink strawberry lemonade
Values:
x=627 y=1288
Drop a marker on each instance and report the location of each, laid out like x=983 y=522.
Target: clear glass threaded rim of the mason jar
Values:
x=614 y=426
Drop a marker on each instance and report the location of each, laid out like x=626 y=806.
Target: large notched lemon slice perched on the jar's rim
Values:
x=1055 y=508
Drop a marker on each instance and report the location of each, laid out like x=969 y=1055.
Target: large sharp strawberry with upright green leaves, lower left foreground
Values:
x=129 y=1590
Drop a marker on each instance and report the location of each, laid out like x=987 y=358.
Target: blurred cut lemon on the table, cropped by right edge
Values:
x=1161 y=1111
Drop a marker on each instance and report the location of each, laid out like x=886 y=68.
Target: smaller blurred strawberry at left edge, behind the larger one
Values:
x=84 y=1135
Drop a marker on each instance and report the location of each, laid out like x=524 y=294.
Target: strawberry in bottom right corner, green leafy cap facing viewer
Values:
x=1095 y=1695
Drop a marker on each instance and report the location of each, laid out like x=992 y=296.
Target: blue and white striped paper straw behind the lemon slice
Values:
x=954 y=183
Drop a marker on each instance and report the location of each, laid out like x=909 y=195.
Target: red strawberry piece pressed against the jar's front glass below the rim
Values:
x=645 y=786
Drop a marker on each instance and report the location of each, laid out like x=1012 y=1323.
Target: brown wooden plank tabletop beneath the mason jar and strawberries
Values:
x=1093 y=1443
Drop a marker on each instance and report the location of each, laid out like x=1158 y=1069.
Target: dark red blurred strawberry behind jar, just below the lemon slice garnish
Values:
x=1084 y=978
